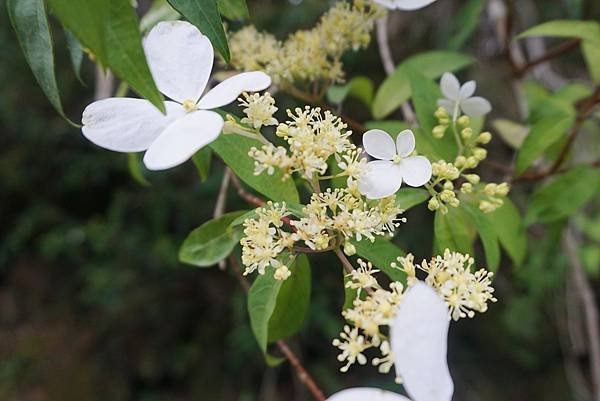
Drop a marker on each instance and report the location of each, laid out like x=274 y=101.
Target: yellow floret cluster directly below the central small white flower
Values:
x=342 y=214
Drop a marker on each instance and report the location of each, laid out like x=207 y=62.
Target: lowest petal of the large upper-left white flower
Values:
x=182 y=139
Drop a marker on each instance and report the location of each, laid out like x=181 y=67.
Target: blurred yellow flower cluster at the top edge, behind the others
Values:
x=307 y=55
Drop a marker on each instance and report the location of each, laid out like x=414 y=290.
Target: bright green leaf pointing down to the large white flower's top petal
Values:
x=109 y=28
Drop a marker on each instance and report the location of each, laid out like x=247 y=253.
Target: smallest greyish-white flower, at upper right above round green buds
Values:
x=461 y=97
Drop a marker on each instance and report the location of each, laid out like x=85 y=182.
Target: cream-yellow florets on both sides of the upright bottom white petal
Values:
x=450 y=275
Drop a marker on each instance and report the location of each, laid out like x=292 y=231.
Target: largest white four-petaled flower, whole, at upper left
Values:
x=180 y=59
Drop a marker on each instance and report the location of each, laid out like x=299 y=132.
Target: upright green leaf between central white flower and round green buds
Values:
x=425 y=94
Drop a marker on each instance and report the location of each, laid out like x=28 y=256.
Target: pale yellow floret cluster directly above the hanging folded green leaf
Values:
x=265 y=241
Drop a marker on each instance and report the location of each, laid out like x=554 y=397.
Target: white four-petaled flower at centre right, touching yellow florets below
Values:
x=384 y=177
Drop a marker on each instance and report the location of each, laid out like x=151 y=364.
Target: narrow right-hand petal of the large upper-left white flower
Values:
x=229 y=90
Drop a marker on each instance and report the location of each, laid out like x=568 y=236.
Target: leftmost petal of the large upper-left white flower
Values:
x=126 y=125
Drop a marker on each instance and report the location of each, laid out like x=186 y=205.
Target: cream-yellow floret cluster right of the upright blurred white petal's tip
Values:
x=464 y=291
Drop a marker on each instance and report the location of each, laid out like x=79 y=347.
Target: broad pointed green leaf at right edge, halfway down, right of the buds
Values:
x=565 y=195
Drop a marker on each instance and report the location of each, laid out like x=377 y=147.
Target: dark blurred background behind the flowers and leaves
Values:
x=95 y=306
